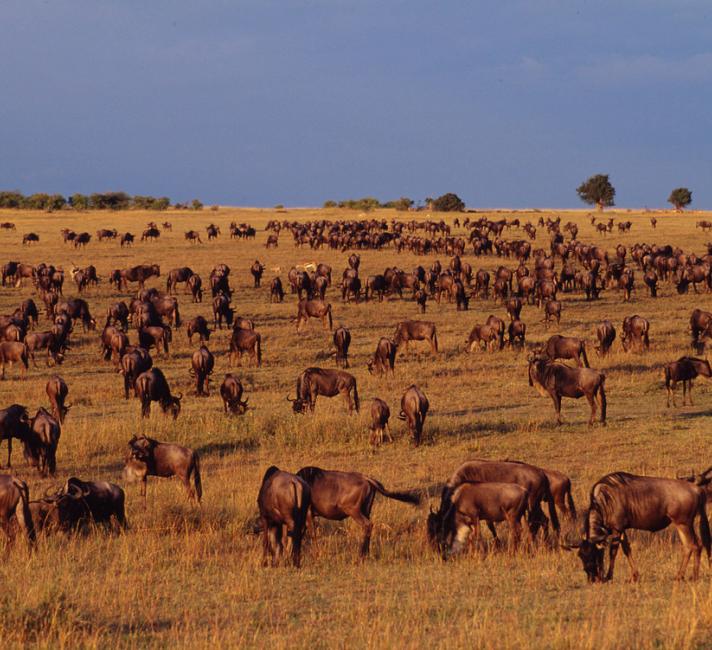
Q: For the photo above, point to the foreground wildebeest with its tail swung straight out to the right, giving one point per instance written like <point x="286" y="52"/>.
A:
<point x="337" y="495"/>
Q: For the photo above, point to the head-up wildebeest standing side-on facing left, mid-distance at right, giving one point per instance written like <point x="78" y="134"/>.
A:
<point x="557" y="380"/>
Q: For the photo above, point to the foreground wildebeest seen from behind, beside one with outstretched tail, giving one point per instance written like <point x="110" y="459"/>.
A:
<point x="283" y="501"/>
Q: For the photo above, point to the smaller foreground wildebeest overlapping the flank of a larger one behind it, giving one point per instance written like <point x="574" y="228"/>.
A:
<point x="471" y="503"/>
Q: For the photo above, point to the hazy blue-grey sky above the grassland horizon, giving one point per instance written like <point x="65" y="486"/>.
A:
<point x="259" y="102"/>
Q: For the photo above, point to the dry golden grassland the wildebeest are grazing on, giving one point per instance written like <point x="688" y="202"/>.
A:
<point x="188" y="576"/>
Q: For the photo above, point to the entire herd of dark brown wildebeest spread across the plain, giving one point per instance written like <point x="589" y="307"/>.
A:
<point x="492" y="491"/>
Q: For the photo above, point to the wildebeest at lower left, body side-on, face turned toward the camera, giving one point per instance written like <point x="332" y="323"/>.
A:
<point x="148" y="457"/>
